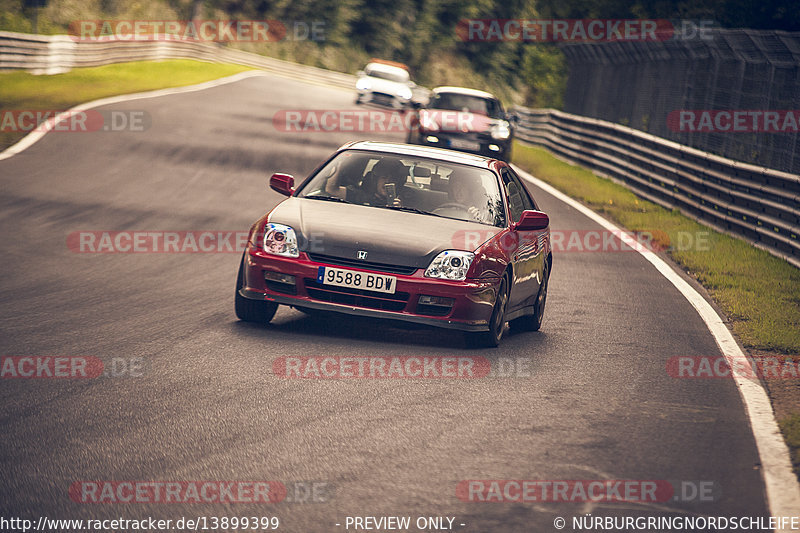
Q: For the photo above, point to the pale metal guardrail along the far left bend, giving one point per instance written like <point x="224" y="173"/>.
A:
<point x="52" y="54"/>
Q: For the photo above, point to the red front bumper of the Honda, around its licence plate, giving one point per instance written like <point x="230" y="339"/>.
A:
<point x="472" y="301"/>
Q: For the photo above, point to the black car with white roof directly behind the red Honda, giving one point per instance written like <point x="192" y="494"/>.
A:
<point x="464" y="119"/>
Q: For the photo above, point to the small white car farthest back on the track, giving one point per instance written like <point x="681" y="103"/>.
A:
<point x="385" y="83"/>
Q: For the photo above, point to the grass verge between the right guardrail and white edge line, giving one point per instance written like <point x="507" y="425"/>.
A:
<point x="758" y="292"/>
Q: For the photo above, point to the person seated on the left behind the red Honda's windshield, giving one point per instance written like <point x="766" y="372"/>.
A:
<point x="374" y="190"/>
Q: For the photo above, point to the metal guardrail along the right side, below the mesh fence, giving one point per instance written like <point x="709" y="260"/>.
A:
<point x="759" y="204"/>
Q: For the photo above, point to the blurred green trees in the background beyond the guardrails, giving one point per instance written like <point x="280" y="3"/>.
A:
<point x="420" y="33"/>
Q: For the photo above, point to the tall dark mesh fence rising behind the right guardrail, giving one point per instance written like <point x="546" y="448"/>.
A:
<point x="639" y="83"/>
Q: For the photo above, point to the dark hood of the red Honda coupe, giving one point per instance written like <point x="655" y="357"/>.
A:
<point x="389" y="237"/>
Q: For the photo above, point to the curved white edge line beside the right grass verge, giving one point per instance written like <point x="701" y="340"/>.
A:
<point x="783" y="491"/>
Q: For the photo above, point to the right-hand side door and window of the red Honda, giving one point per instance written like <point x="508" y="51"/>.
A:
<point x="526" y="257"/>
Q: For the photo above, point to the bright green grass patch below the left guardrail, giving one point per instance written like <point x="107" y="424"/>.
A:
<point x="24" y="91"/>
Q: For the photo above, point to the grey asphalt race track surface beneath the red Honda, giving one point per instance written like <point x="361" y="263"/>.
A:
<point x="596" y="402"/>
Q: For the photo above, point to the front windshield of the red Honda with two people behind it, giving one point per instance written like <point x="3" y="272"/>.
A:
<point x="416" y="184"/>
